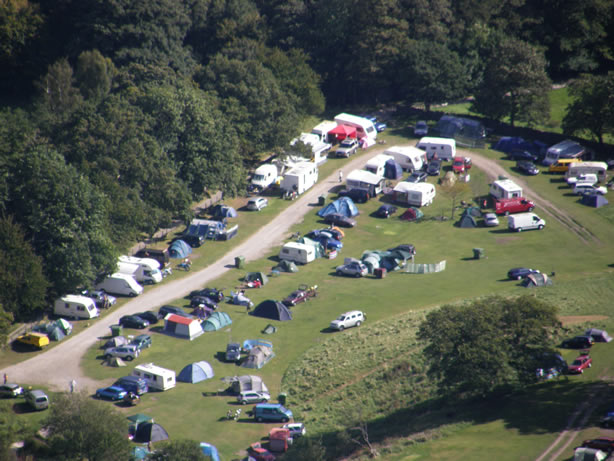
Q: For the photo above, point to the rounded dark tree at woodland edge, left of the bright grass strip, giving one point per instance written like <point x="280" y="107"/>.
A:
<point x="514" y="83"/>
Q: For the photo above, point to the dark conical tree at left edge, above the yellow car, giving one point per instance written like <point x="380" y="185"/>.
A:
<point x="21" y="276"/>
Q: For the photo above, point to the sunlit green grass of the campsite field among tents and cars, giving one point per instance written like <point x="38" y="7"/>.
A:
<point x="324" y="381"/>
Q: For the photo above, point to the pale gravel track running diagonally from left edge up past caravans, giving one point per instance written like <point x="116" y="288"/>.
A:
<point x="57" y="367"/>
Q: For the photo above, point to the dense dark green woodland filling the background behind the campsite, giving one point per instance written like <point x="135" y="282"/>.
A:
<point x="118" y="114"/>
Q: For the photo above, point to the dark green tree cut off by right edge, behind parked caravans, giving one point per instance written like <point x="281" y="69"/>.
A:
<point x="591" y="111"/>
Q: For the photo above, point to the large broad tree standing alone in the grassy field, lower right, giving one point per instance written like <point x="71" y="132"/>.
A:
<point x="488" y="344"/>
